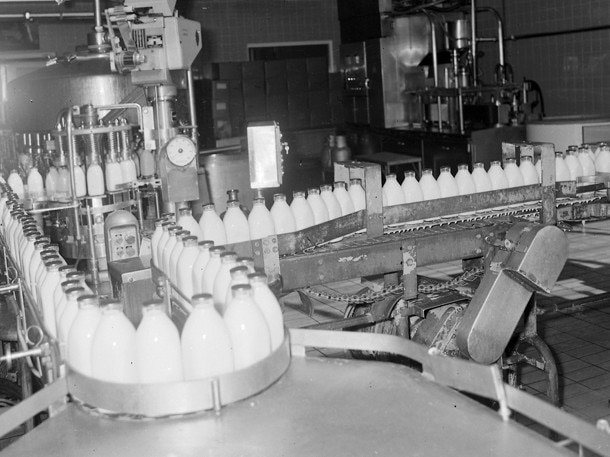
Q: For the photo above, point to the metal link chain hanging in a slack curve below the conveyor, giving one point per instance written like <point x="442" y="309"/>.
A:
<point x="373" y="296"/>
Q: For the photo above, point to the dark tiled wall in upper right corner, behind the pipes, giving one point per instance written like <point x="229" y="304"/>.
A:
<point x="574" y="69"/>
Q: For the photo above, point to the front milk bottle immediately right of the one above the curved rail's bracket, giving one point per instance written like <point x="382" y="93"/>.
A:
<point x="247" y="328"/>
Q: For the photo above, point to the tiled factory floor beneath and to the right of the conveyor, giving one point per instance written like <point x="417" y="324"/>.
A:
<point x="574" y="323"/>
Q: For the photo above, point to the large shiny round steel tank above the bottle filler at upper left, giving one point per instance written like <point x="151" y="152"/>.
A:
<point x="35" y="99"/>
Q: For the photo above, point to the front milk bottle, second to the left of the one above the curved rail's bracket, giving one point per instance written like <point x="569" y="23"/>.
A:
<point x="113" y="350"/>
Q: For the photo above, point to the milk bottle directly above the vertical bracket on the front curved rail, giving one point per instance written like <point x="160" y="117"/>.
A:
<point x="206" y="344"/>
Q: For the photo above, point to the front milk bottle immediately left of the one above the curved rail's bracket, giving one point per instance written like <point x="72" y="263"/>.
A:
<point x="158" y="352"/>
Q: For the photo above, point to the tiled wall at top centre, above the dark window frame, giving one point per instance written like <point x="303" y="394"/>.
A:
<point x="229" y="25"/>
